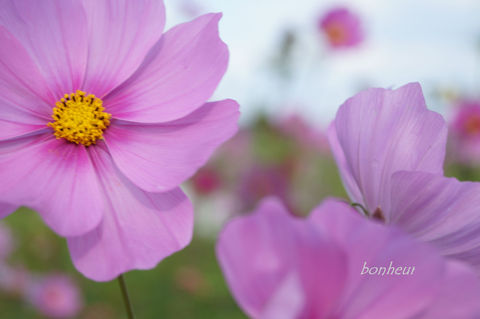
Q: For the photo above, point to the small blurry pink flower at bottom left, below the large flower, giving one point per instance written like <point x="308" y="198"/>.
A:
<point x="56" y="296"/>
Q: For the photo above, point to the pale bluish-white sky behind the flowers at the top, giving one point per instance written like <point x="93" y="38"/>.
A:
<point x="434" y="42"/>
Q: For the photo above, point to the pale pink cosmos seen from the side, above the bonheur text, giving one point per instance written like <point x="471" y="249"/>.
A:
<point x="390" y="149"/>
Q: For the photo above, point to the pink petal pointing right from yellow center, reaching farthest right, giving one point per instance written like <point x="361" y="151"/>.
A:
<point x="159" y="157"/>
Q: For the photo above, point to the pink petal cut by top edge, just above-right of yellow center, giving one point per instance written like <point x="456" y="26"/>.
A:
<point x="121" y="33"/>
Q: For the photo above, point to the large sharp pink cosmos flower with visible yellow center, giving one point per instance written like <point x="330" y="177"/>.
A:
<point x="102" y="117"/>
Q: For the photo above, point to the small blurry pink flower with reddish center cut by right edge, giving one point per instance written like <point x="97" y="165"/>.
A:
<point x="465" y="133"/>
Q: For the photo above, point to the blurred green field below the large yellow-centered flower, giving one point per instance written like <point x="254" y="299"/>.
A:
<point x="188" y="284"/>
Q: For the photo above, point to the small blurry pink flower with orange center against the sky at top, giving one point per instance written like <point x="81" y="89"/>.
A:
<point x="342" y="28"/>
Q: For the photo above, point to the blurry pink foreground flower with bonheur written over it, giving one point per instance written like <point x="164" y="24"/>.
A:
<point x="281" y="267"/>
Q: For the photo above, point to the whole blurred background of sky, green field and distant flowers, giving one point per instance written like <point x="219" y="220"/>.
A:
<point x="289" y="75"/>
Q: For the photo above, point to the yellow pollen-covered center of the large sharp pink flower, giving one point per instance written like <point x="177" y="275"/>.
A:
<point x="80" y="118"/>
